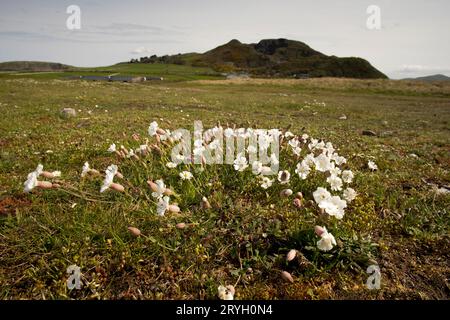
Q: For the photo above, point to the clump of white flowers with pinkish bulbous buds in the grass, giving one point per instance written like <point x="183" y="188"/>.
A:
<point x="311" y="161"/>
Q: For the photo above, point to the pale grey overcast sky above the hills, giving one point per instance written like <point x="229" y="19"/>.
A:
<point x="413" y="39"/>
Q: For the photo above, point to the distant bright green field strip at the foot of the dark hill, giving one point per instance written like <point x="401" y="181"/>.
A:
<point x="171" y="72"/>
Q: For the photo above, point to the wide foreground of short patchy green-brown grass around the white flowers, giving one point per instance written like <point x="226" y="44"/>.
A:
<point x="399" y="220"/>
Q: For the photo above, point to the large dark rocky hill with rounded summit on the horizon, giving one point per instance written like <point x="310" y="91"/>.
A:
<point x="275" y="58"/>
